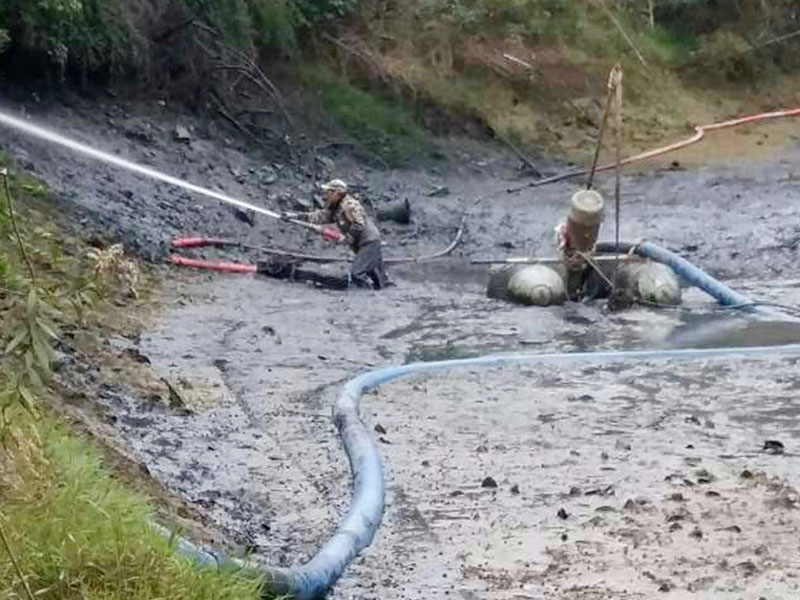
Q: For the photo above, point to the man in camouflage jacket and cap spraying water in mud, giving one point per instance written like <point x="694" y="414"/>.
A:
<point x="357" y="230"/>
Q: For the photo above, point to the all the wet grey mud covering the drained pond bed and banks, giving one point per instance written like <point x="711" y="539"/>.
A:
<point x="633" y="481"/>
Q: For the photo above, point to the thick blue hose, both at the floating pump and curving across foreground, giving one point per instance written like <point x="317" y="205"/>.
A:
<point x="312" y="580"/>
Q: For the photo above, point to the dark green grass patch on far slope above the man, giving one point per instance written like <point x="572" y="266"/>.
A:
<point x="380" y="122"/>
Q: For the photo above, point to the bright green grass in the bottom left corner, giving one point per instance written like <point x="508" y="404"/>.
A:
<point x="77" y="534"/>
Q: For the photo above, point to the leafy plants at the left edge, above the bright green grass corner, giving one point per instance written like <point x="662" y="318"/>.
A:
<point x="39" y="285"/>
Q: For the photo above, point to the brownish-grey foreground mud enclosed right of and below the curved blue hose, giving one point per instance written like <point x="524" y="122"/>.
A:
<point x="637" y="481"/>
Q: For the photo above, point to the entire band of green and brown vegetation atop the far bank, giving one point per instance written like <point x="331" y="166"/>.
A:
<point x="529" y="70"/>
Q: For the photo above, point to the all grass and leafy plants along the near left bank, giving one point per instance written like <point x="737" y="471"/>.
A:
<point x="69" y="530"/>
